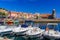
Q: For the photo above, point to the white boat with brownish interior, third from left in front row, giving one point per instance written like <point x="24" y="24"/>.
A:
<point x="34" y="32"/>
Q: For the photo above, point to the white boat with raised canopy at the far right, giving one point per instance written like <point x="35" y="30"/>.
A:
<point x="51" y="33"/>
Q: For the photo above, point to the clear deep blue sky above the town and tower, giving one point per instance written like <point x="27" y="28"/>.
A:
<point x="32" y="6"/>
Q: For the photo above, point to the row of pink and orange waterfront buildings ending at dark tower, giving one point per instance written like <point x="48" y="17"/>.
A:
<point x="23" y="15"/>
